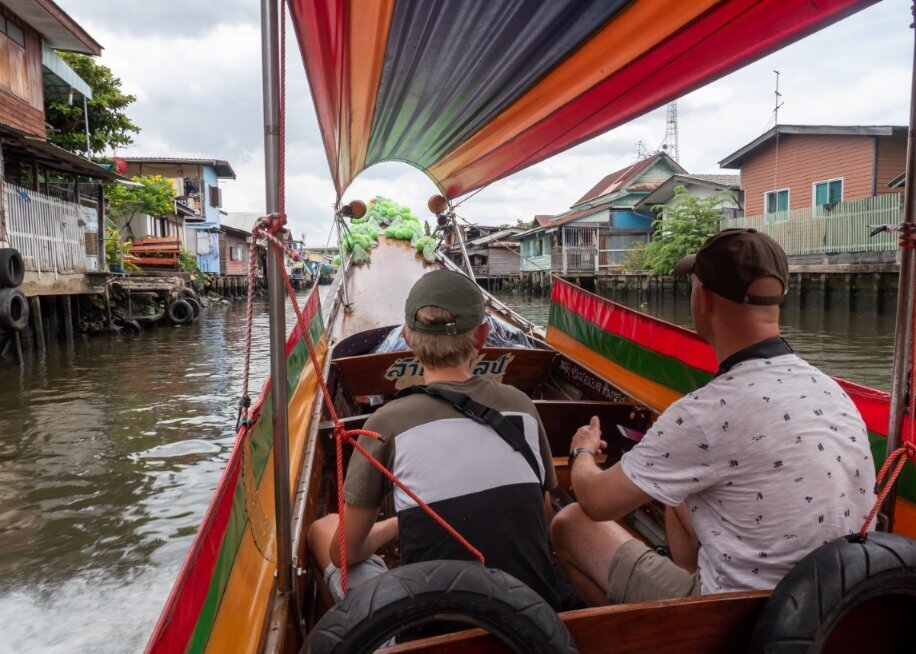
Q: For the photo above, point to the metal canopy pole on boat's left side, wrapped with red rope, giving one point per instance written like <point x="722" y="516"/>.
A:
<point x="275" y="293"/>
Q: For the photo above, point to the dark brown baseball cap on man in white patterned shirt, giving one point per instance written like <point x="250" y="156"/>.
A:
<point x="733" y="259"/>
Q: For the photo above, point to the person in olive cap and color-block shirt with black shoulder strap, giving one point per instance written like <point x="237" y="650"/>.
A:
<point x="485" y="477"/>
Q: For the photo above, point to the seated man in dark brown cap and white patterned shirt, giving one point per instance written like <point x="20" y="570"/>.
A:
<point x="763" y="464"/>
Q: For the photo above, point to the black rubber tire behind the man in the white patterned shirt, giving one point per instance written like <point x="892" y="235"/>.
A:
<point x="827" y="584"/>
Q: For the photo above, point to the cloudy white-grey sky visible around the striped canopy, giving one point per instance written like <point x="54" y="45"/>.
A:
<point x="196" y="71"/>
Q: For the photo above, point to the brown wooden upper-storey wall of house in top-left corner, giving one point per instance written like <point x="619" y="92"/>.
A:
<point x="23" y="109"/>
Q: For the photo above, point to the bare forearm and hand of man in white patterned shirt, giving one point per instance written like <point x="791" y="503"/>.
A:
<point x="601" y="494"/>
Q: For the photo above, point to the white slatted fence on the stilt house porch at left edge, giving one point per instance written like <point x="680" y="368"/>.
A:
<point x="45" y="230"/>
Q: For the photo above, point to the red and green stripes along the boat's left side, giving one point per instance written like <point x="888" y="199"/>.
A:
<point x="192" y="607"/>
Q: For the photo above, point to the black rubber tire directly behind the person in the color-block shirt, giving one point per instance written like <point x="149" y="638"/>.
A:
<point x="434" y="591"/>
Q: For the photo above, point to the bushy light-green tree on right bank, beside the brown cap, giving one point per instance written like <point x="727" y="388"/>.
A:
<point x="680" y="229"/>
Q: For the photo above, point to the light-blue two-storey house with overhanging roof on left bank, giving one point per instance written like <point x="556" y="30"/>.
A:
<point x="197" y="195"/>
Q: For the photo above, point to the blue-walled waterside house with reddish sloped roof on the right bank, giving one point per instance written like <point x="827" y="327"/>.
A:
<point x="592" y="238"/>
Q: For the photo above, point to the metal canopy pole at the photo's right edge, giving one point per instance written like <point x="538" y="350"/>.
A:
<point x="903" y="342"/>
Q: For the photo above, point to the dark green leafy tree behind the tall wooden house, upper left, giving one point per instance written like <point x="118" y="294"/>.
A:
<point x="109" y="126"/>
